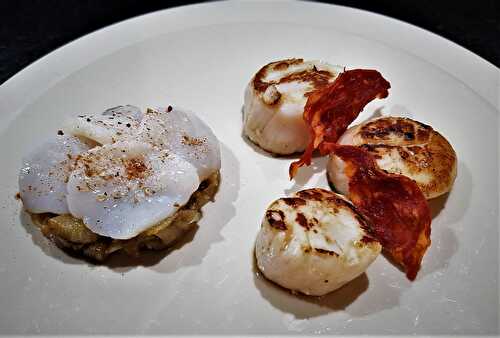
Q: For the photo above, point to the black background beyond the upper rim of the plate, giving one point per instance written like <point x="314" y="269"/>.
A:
<point x="31" y="29"/>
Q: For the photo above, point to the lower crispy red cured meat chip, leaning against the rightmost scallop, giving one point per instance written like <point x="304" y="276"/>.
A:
<point x="396" y="207"/>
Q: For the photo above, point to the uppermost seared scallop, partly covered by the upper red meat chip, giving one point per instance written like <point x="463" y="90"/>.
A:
<point x="275" y="100"/>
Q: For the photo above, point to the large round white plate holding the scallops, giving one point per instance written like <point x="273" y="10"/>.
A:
<point x="201" y="57"/>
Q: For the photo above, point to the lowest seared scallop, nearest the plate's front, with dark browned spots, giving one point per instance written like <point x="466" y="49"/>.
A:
<point x="314" y="242"/>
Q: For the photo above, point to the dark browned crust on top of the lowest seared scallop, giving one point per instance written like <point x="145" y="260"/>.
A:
<point x="304" y="209"/>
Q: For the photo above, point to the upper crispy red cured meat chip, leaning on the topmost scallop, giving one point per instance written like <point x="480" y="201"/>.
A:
<point x="330" y="110"/>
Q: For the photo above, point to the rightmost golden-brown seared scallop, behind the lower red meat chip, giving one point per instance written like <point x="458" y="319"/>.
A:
<point x="407" y="147"/>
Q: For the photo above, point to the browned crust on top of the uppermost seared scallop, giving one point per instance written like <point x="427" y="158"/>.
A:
<point x="317" y="78"/>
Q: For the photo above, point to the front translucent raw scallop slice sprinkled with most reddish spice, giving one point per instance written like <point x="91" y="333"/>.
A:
<point x="122" y="189"/>
